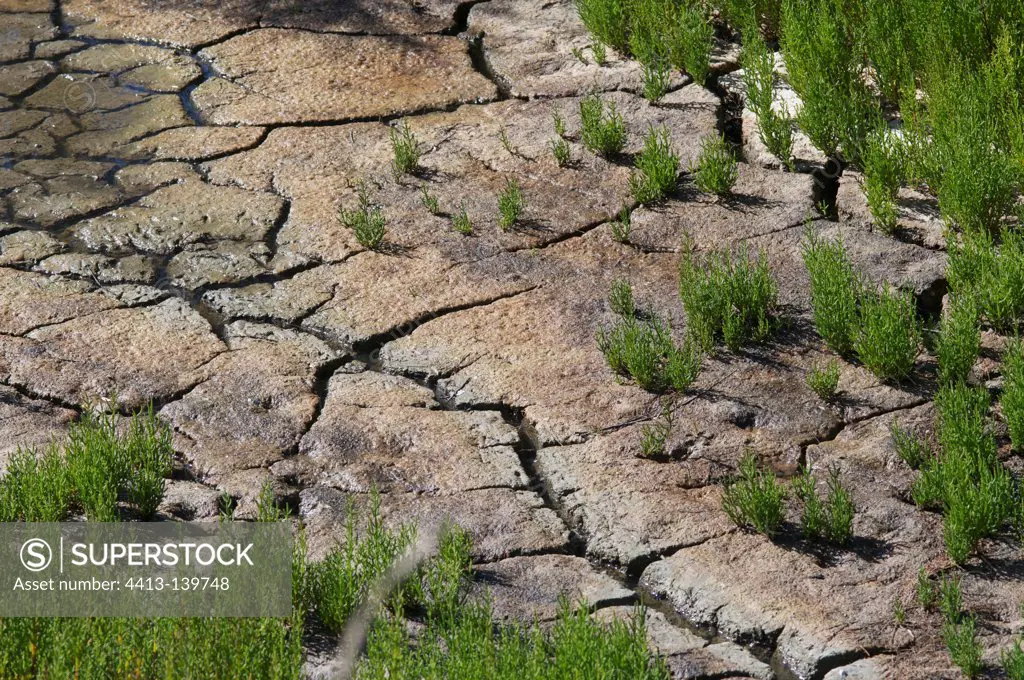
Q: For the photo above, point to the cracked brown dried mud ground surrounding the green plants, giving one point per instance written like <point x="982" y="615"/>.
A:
<point x="169" y="190"/>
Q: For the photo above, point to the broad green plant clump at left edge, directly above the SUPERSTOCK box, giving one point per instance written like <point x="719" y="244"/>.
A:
<point x="98" y="466"/>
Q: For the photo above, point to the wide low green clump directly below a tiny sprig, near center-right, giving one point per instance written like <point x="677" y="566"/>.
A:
<point x="644" y="351"/>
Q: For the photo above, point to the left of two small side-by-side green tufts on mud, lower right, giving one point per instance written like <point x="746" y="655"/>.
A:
<point x="755" y="498"/>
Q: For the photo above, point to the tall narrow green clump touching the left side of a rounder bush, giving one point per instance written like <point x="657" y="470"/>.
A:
<point x="835" y="289"/>
